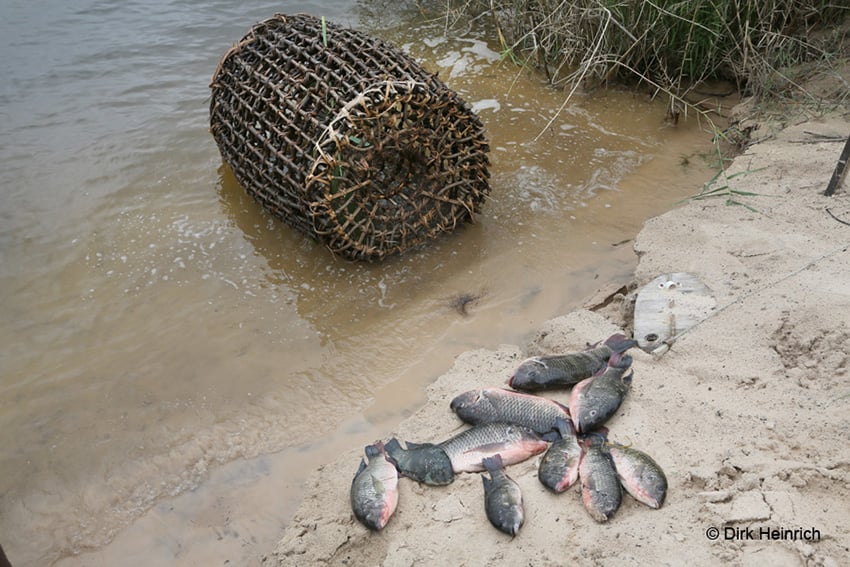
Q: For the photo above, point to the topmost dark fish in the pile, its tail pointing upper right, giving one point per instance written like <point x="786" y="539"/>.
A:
<point x="565" y="370"/>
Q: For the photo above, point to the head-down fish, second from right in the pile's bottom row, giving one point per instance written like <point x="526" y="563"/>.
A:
<point x="600" y="486"/>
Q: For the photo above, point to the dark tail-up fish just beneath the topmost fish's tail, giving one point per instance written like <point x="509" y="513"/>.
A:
<point x="594" y="400"/>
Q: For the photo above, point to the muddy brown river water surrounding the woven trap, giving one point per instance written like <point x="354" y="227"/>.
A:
<point x="175" y="361"/>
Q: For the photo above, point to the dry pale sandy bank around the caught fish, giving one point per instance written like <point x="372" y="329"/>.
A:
<point x="747" y="413"/>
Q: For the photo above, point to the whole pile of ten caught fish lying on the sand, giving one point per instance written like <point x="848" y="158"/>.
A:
<point x="509" y="427"/>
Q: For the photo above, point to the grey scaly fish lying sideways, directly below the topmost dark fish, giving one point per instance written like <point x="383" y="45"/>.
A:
<point x="491" y="405"/>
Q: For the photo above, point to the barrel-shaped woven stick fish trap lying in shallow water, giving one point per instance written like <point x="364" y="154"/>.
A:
<point x="346" y="138"/>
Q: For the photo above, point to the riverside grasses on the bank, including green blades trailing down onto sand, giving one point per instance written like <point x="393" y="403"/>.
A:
<point x="771" y="51"/>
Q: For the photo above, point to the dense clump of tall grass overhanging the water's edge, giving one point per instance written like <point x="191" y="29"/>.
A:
<point x="669" y="44"/>
